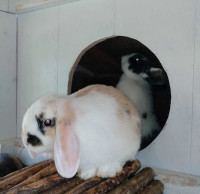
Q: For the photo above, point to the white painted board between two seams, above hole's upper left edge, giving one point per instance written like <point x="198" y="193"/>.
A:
<point x="80" y="24"/>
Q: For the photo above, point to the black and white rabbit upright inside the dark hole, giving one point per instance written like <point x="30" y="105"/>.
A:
<point x="136" y="81"/>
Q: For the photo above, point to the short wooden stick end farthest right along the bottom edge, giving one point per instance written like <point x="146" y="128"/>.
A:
<point x="154" y="187"/>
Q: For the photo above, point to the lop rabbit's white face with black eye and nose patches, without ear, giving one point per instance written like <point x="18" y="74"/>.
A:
<point x="38" y="126"/>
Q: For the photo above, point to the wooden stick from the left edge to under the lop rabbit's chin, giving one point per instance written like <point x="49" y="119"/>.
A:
<point x="22" y="175"/>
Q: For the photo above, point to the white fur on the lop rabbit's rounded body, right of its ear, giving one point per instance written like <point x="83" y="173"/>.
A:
<point x="114" y="140"/>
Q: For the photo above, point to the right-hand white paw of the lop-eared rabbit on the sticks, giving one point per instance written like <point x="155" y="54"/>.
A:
<point x="109" y="170"/>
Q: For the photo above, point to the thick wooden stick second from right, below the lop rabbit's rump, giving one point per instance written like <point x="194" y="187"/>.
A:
<point x="140" y="180"/>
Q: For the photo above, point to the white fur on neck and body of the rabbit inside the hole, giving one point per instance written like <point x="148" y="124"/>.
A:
<point x="139" y="92"/>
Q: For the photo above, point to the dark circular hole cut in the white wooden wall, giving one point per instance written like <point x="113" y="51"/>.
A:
<point x="101" y="64"/>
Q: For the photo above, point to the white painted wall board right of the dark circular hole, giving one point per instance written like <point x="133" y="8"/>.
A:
<point x="167" y="29"/>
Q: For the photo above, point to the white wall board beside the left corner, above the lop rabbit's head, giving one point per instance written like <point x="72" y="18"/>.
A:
<point x="37" y="57"/>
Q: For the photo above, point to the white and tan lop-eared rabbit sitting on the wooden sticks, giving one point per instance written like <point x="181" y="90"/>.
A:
<point x="93" y="131"/>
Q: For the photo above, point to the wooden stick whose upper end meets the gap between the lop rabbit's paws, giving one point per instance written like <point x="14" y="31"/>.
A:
<point x="86" y="185"/>
